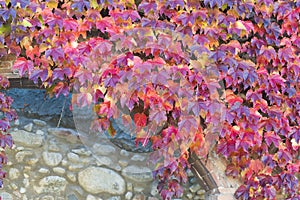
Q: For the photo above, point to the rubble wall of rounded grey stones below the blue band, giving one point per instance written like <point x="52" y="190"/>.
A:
<point x="49" y="163"/>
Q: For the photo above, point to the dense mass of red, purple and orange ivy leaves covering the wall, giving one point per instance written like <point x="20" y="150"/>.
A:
<point x="252" y="46"/>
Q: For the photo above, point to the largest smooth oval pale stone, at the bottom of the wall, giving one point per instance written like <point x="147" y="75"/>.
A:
<point x="97" y="179"/>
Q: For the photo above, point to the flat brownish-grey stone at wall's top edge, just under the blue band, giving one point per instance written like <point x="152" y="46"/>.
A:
<point x="68" y="134"/>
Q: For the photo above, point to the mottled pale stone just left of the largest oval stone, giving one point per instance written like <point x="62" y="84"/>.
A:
<point x="51" y="184"/>
